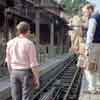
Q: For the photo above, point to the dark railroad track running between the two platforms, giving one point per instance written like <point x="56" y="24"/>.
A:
<point x="61" y="83"/>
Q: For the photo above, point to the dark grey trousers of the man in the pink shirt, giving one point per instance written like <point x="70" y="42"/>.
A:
<point x="21" y="84"/>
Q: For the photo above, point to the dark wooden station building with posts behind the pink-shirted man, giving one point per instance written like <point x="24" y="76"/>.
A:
<point x="45" y="18"/>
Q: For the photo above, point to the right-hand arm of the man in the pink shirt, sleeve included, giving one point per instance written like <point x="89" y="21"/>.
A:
<point x="34" y="64"/>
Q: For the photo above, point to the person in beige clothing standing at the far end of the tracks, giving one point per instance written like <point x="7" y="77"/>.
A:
<point x="77" y="40"/>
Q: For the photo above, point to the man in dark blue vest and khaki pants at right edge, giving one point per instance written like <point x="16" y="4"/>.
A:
<point x="93" y="47"/>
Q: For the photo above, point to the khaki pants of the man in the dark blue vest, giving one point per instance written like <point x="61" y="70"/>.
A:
<point x="93" y="78"/>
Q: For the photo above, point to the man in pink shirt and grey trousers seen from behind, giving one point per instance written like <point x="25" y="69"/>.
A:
<point x="22" y="64"/>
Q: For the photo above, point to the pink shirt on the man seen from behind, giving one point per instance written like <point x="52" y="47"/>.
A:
<point x="21" y="54"/>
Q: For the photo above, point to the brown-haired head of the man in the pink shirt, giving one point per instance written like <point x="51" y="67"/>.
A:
<point x="23" y="27"/>
